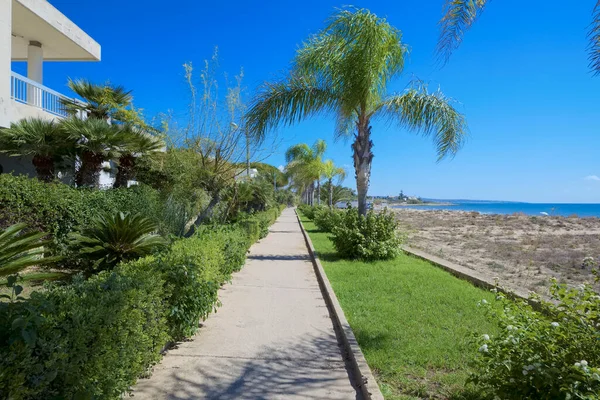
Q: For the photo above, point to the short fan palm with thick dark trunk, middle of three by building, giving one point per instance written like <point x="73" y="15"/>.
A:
<point x="96" y="142"/>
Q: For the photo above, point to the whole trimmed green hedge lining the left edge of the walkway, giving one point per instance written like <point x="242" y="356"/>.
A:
<point x="93" y="338"/>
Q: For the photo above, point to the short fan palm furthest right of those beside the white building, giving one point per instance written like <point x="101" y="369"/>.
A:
<point x="135" y="143"/>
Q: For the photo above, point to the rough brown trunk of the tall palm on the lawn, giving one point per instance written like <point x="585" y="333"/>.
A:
<point x="363" y="158"/>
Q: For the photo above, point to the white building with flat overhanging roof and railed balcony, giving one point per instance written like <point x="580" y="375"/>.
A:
<point x="36" y="32"/>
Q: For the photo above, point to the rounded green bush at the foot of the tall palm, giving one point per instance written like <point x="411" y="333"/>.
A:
<point x="374" y="237"/>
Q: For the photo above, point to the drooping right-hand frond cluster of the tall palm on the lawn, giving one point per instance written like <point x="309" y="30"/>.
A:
<point x="431" y="114"/>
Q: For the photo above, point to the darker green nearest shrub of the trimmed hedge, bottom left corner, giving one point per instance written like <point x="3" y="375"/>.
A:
<point x="91" y="339"/>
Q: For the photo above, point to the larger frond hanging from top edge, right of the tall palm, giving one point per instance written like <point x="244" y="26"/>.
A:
<point x="459" y="16"/>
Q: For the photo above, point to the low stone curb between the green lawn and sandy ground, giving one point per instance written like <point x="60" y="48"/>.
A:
<point x="469" y="275"/>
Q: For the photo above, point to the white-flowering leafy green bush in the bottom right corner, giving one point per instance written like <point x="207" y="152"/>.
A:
<point x="549" y="354"/>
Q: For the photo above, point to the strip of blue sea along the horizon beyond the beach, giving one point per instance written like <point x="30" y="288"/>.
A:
<point x="502" y="207"/>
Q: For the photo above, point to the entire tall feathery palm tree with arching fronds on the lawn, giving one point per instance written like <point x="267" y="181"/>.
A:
<point x="344" y="70"/>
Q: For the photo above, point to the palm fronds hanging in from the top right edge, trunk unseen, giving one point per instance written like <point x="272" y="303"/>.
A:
<point x="460" y="15"/>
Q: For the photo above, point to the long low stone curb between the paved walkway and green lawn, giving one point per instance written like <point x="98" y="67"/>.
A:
<point x="360" y="369"/>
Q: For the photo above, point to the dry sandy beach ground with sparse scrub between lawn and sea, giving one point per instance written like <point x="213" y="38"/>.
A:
<point x="524" y="252"/>
